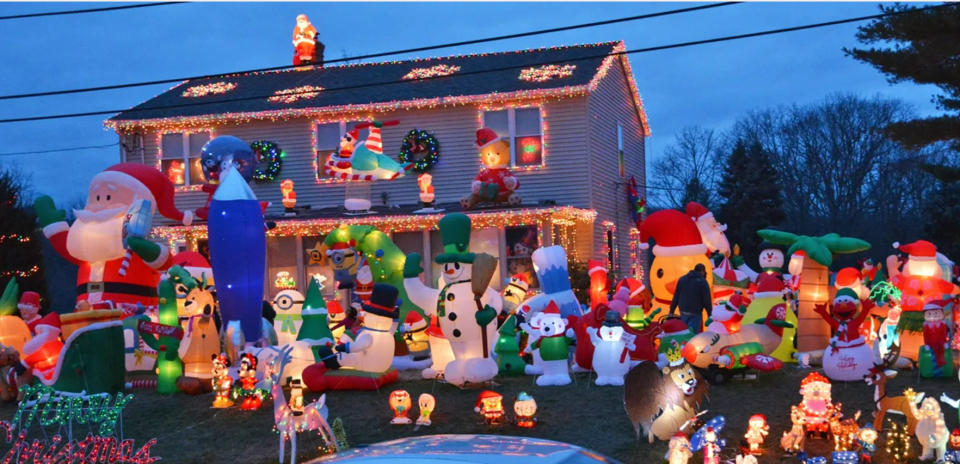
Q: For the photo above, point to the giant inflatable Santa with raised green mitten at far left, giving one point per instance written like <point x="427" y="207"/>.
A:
<point x="115" y="267"/>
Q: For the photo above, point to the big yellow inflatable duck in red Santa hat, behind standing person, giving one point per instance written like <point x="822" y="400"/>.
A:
<point x="679" y="248"/>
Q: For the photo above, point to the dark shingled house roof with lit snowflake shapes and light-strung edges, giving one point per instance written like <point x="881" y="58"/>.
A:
<point x="376" y="87"/>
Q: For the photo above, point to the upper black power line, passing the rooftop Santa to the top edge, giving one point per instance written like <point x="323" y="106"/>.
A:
<point x="376" y="55"/>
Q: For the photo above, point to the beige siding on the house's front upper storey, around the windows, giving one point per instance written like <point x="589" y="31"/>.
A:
<point x="563" y="179"/>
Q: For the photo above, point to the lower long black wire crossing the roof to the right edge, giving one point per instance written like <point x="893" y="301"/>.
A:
<point x="506" y="68"/>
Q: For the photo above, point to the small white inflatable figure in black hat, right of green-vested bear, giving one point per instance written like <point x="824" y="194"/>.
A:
<point x="611" y="354"/>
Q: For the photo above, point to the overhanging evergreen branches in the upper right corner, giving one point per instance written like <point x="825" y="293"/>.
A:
<point x="920" y="47"/>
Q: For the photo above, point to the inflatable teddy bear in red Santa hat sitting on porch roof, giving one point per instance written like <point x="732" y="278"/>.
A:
<point x="495" y="183"/>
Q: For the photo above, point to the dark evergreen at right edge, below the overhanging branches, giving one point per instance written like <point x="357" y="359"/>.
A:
<point x="941" y="218"/>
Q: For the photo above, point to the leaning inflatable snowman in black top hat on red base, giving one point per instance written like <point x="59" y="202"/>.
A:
<point x="371" y="348"/>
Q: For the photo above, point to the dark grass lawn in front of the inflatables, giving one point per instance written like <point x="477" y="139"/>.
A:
<point x="189" y="431"/>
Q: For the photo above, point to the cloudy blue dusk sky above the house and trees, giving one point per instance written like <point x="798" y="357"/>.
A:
<point x="709" y="85"/>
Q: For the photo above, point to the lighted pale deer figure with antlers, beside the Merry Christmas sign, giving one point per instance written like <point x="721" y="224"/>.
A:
<point x="295" y="417"/>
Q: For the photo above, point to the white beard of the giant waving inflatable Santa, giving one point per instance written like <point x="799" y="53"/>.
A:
<point x="97" y="236"/>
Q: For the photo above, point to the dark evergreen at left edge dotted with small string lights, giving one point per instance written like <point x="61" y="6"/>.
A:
<point x="20" y="239"/>
